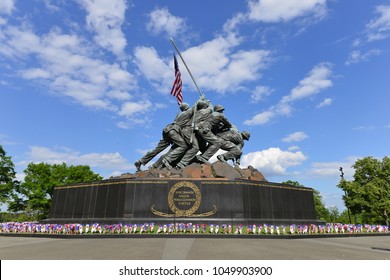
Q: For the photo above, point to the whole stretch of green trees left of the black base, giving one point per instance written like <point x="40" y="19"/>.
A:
<point x="31" y="199"/>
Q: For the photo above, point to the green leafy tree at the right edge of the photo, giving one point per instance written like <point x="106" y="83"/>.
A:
<point x="368" y="194"/>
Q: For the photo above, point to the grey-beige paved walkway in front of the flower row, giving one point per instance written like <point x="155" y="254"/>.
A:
<point x="348" y="248"/>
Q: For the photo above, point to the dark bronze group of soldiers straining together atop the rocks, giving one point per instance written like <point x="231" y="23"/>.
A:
<point x="201" y="128"/>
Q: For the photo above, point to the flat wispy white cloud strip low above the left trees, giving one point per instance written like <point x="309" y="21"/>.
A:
<point x="106" y="161"/>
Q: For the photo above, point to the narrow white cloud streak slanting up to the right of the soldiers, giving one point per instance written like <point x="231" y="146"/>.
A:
<point x="317" y="80"/>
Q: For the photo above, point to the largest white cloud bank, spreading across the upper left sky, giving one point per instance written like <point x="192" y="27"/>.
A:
<point x="66" y="66"/>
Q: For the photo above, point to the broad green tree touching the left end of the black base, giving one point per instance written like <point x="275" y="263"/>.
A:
<point x="40" y="180"/>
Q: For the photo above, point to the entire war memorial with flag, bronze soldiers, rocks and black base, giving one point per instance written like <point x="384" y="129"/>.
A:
<point x="182" y="186"/>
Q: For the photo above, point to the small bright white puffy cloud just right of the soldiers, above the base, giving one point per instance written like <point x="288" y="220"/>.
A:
<point x="273" y="161"/>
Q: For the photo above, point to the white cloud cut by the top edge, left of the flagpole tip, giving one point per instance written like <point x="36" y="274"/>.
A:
<point x="106" y="18"/>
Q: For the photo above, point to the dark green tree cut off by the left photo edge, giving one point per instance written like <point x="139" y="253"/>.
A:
<point x="7" y="176"/>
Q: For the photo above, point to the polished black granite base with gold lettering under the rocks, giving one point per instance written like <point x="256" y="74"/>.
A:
<point x="182" y="200"/>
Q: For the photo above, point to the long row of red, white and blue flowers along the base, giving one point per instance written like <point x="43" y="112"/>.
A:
<point x="182" y="228"/>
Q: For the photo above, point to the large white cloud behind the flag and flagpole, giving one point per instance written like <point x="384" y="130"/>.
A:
<point x="225" y="71"/>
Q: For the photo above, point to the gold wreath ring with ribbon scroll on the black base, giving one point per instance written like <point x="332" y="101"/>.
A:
<point x="180" y="212"/>
